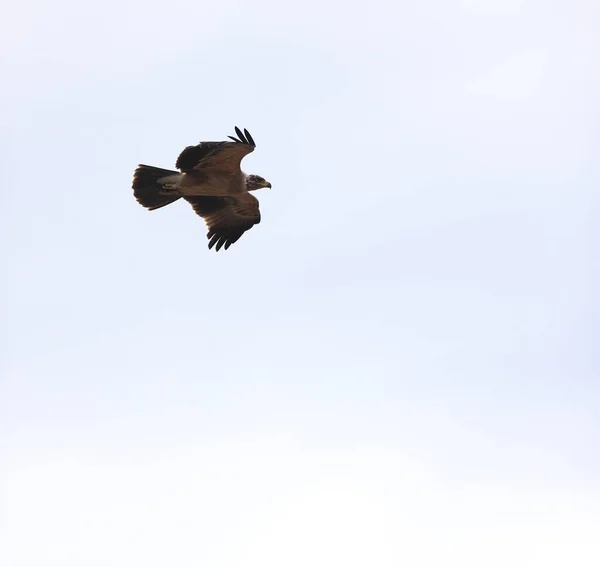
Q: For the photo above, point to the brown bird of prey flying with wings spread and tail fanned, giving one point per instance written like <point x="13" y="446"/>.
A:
<point x="211" y="180"/>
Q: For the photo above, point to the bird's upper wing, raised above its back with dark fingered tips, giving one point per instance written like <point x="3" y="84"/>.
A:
<point x="223" y="156"/>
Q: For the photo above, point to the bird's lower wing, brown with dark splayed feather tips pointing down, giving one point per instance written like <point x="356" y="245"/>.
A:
<point x="227" y="218"/>
